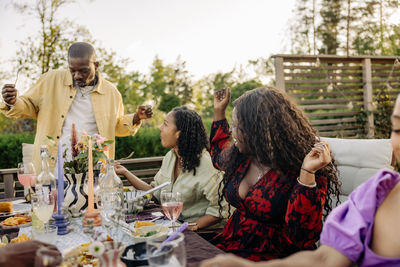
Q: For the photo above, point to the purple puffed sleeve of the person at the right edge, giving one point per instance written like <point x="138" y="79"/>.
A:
<point x="347" y="225"/>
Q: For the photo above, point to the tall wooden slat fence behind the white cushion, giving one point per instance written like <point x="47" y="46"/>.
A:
<point x="337" y="93"/>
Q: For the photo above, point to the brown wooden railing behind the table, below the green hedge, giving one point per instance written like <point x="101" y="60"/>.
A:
<point x="144" y="168"/>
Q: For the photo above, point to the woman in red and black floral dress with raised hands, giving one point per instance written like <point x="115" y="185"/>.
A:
<point x="278" y="212"/>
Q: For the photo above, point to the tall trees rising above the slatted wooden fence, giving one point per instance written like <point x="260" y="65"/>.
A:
<point x="351" y="27"/>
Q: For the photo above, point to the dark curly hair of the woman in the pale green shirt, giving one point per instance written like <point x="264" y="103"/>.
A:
<point x="192" y="139"/>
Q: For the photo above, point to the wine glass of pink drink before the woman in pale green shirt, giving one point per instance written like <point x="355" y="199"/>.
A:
<point x="171" y="203"/>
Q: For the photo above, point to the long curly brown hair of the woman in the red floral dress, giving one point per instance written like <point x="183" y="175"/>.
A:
<point x="277" y="134"/>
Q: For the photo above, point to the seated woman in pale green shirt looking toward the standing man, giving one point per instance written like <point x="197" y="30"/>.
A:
<point x="189" y="168"/>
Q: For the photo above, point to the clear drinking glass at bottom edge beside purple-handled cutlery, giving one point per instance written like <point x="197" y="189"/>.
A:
<point x="171" y="254"/>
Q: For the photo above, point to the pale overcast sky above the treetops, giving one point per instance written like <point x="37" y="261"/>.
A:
<point x="211" y="35"/>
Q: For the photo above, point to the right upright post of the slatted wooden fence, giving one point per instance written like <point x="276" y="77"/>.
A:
<point x="368" y="104"/>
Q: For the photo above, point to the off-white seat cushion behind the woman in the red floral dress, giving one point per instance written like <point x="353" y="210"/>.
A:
<point x="359" y="159"/>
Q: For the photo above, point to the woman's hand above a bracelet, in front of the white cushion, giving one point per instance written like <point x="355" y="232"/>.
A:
<point x="318" y="157"/>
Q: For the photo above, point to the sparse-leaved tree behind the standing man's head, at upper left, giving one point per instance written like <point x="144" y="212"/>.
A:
<point x="46" y="49"/>
